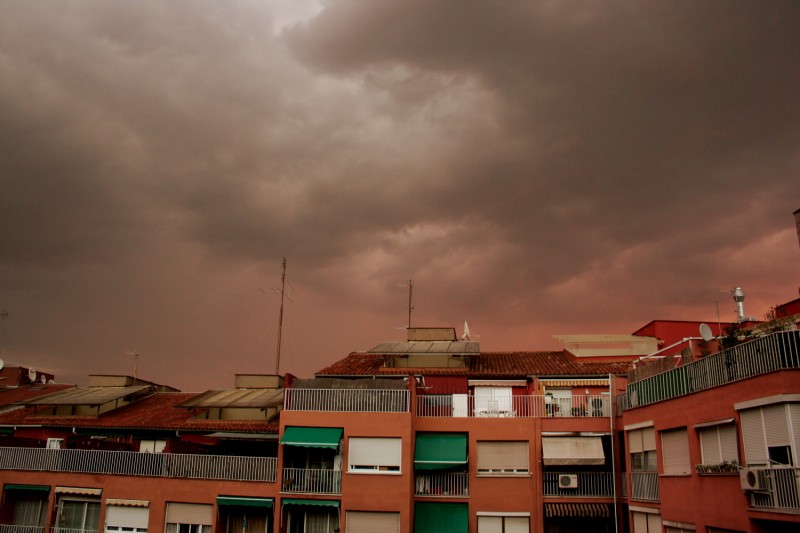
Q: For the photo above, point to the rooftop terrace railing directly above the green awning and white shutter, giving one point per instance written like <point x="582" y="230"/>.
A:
<point x="347" y="400"/>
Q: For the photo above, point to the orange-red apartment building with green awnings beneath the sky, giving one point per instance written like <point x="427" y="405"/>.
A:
<point x="658" y="431"/>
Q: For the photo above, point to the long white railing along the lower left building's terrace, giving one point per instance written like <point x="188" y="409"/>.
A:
<point x="235" y="468"/>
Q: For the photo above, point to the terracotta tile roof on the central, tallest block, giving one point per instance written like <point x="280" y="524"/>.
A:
<point x="487" y="364"/>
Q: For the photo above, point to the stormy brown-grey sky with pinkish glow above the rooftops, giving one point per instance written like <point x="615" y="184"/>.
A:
<point x="536" y="168"/>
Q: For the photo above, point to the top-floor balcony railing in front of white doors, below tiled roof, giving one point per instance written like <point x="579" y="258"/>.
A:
<point x="534" y="406"/>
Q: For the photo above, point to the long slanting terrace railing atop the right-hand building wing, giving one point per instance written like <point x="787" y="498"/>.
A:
<point x="760" y="356"/>
